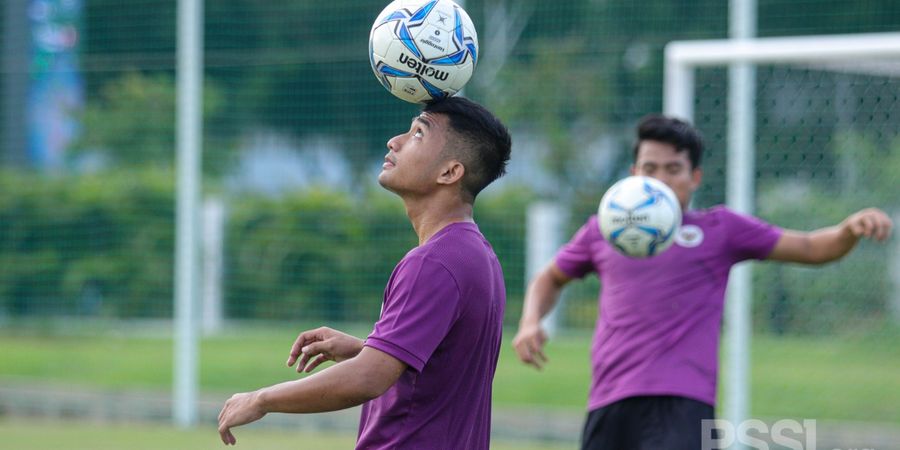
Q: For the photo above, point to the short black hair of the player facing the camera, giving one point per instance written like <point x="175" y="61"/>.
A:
<point x="670" y="130"/>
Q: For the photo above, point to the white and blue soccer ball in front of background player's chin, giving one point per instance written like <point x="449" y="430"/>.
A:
<point x="639" y="216"/>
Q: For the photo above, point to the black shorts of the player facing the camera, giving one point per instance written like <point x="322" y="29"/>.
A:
<point x="646" y="423"/>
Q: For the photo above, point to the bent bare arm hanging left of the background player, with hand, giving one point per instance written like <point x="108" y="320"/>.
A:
<point x="540" y="298"/>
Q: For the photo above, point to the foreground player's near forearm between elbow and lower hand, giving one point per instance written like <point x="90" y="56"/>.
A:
<point x="338" y="387"/>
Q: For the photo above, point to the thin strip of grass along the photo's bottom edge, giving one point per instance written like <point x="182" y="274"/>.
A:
<point x="52" y="435"/>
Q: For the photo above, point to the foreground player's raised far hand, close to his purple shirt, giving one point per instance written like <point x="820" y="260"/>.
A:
<point x="314" y="347"/>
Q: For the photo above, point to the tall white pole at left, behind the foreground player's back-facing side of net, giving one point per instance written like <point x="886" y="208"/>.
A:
<point x="189" y="92"/>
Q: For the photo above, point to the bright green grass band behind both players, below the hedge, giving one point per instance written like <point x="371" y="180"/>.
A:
<point x="852" y="378"/>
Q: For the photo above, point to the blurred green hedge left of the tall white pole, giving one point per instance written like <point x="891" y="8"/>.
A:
<point x="99" y="244"/>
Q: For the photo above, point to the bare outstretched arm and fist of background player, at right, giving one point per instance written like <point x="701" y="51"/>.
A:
<point x="832" y="243"/>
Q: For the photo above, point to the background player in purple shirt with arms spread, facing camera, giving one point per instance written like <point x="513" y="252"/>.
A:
<point x="655" y="347"/>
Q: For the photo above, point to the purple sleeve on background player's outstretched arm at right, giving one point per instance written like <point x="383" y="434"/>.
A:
<point x="750" y="237"/>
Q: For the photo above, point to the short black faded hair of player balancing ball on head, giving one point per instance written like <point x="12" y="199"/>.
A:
<point x="484" y="143"/>
